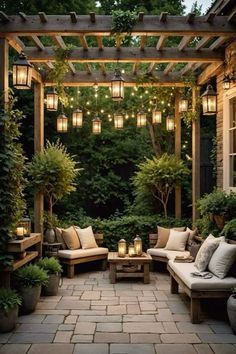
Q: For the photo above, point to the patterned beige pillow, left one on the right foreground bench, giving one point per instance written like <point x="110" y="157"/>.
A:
<point x="206" y="251"/>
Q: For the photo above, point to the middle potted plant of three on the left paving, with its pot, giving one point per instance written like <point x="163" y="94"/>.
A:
<point x="30" y="279"/>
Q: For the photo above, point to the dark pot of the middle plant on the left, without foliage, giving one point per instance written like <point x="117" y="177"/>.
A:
<point x="30" y="298"/>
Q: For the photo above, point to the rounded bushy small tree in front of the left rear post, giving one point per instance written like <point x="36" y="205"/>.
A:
<point x="53" y="172"/>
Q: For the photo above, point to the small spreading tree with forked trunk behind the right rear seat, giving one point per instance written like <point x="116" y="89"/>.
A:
<point x="159" y="176"/>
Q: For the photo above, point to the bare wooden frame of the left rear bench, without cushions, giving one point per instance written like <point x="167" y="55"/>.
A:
<point x="70" y="263"/>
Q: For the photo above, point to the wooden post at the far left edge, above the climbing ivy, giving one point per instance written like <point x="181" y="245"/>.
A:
<point x="4" y="68"/>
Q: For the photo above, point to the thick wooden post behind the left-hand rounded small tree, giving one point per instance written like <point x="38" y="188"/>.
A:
<point x="38" y="146"/>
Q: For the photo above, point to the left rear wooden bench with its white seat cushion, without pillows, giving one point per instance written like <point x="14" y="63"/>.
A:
<point x="71" y="262"/>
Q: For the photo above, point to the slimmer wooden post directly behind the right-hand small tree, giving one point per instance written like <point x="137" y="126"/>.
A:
<point x="177" y="154"/>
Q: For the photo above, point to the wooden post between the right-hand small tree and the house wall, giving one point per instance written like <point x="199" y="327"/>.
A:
<point x="195" y="157"/>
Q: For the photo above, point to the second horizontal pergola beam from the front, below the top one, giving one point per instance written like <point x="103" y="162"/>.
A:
<point x="129" y="55"/>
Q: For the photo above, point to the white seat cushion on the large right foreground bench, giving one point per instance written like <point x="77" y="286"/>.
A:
<point x="183" y="271"/>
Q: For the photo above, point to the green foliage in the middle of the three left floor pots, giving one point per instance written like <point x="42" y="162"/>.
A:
<point x="31" y="276"/>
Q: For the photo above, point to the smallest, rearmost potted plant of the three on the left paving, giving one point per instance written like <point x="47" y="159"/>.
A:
<point x="53" y="269"/>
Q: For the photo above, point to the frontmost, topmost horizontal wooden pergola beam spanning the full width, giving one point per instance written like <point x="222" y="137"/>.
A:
<point x="43" y="24"/>
